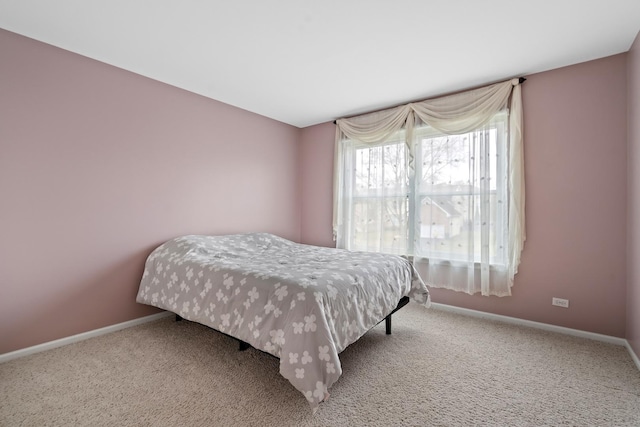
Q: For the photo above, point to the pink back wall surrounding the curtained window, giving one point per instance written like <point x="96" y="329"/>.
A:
<point x="575" y="160"/>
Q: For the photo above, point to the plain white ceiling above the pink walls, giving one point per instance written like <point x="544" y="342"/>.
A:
<point x="305" y="62"/>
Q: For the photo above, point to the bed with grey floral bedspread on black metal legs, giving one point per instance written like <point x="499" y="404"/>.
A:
<point x="303" y="304"/>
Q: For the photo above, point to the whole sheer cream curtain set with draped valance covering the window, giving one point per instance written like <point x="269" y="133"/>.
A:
<point x="441" y="180"/>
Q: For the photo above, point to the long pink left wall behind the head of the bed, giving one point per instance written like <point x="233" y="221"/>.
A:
<point x="98" y="166"/>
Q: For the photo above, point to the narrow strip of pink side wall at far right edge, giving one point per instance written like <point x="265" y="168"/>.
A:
<point x="633" y="191"/>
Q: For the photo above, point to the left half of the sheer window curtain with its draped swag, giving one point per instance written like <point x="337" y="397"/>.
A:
<point x="373" y="182"/>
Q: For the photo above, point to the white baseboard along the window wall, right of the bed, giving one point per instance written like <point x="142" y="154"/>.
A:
<point x="545" y="326"/>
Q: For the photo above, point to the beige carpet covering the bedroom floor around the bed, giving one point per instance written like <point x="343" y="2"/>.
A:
<point x="437" y="368"/>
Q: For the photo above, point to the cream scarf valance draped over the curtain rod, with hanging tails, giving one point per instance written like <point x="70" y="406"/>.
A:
<point x="454" y="114"/>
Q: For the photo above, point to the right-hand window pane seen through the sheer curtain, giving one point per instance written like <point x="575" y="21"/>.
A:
<point x="461" y="188"/>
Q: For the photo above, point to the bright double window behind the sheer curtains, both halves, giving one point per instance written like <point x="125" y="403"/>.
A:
<point x="451" y="204"/>
